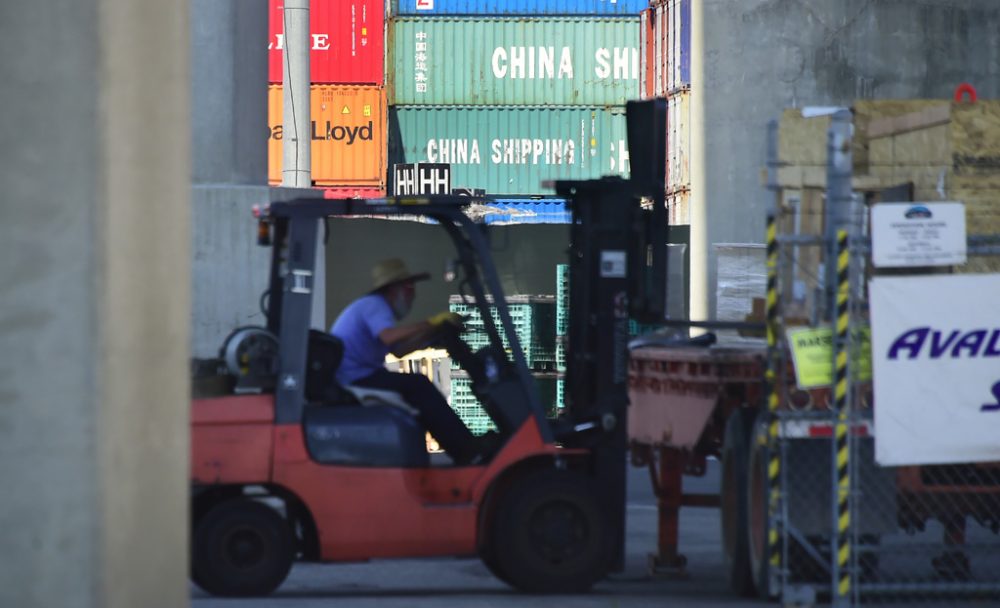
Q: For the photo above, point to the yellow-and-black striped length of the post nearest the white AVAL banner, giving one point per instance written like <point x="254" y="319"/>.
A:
<point x="841" y="426"/>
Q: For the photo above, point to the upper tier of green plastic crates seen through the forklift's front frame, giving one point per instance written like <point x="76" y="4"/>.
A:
<point x="532" y="317"/>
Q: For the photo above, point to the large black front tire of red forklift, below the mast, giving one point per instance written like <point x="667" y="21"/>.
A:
<point x="550" y="535"/>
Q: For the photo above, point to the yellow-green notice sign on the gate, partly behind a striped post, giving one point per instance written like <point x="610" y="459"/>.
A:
<point x="812" y="356"/>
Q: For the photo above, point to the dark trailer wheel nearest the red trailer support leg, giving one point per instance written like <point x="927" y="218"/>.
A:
<point x="735" y="521"/>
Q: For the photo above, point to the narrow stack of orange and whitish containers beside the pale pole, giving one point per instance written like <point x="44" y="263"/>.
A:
<point x="666" y="72"/>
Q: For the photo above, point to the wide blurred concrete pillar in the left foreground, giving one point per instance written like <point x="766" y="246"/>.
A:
<point x="94" y="307"/>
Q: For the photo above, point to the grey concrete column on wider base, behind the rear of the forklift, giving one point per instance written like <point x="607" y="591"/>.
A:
<point x="229" y="150"/>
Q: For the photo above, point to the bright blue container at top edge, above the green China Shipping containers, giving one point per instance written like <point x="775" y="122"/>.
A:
<point x="518" y="7"/>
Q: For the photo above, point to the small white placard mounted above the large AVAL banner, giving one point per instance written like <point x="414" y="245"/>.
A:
<point x="918" y="234"/>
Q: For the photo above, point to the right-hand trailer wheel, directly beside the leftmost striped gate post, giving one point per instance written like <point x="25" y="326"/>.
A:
<point x="757" y="511"/>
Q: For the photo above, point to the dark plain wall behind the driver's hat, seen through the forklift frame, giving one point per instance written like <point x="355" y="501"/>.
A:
<point x="525" y="256"/>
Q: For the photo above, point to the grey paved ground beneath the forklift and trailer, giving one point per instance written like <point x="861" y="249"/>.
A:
<point x="465" y="583"/>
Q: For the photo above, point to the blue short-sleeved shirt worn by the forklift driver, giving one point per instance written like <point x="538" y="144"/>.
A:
<point x="358" y="326"/>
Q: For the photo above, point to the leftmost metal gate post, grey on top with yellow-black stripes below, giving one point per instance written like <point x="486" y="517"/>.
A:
<point x="774" y="546"/>
